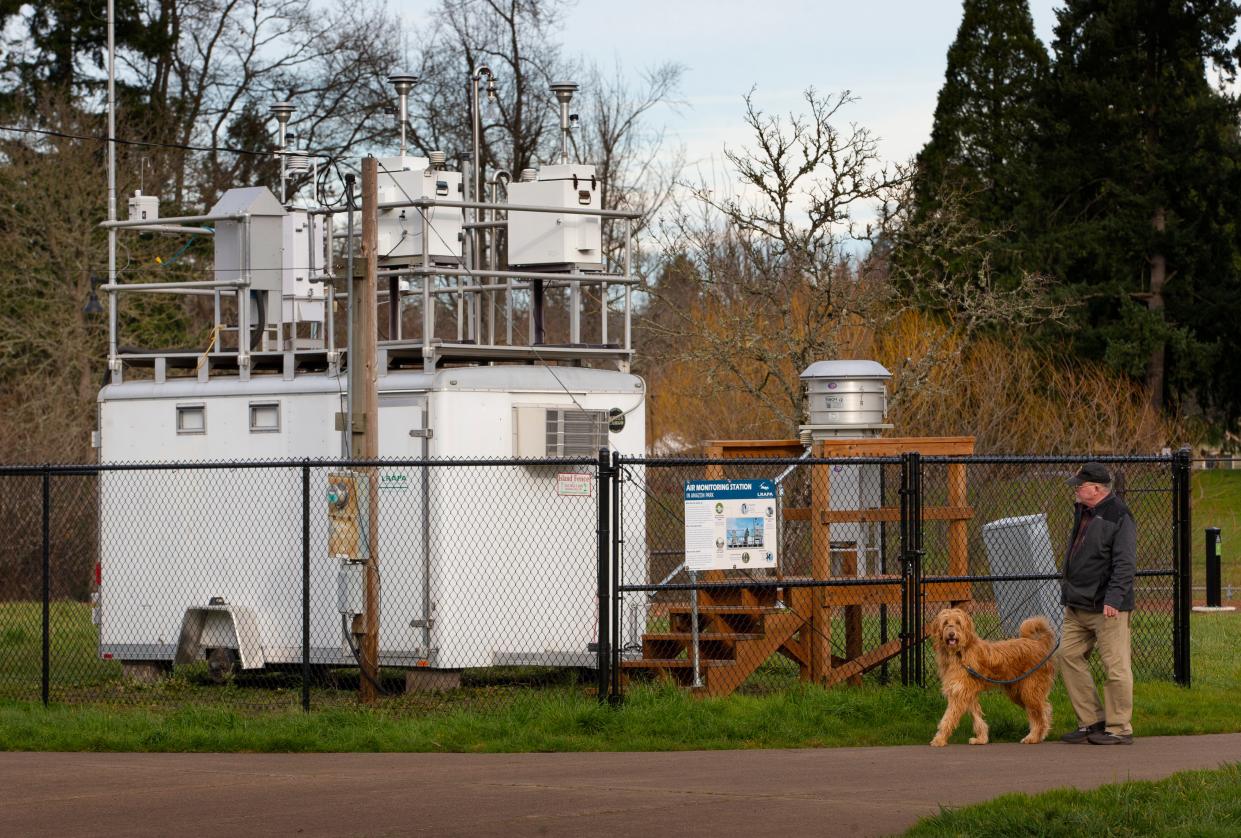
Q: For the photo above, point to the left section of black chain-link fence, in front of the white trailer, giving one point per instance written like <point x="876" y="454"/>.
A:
<point x="239" y="583"/>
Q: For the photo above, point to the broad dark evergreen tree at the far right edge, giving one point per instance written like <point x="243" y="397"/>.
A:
<point x="1140" y="178"/>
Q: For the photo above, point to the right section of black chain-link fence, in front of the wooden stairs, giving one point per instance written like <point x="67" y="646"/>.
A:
<point x="869" y="552"/>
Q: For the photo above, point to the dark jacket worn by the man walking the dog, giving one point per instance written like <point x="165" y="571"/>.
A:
<point x="1100" y="572"/>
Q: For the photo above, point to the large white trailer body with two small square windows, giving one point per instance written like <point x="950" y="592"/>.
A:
<point x="198" y="561"/>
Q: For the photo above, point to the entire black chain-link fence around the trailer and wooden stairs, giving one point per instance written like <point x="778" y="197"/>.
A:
<point x="245" y="584"/>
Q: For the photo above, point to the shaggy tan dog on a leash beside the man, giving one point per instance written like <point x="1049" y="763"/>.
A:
<point x="957" y="646"/>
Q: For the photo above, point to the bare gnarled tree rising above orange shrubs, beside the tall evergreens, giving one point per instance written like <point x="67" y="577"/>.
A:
<point x="781" y="280"/>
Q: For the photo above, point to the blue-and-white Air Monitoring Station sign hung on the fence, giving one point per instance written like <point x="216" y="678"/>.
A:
<point x="730" y="525"/>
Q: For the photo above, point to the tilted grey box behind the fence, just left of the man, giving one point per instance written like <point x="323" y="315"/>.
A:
<point x="1022" y="547"/>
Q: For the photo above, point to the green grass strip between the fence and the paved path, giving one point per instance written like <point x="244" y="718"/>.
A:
<point x="568" y="718"/>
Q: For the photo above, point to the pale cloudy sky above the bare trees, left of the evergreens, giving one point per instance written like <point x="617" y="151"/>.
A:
<point x="890" y="54"/>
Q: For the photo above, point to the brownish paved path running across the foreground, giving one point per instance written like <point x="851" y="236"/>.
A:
<point x="830" y="791"/>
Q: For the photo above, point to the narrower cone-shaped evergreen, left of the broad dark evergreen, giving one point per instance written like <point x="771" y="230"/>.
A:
<point x="987" y="116"/>
